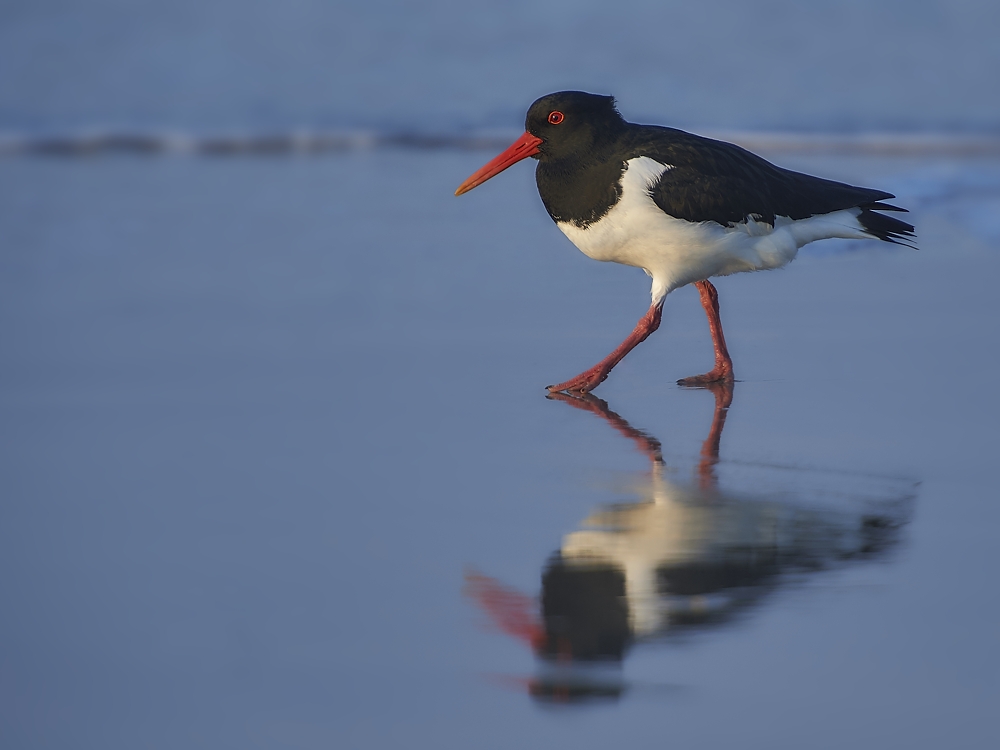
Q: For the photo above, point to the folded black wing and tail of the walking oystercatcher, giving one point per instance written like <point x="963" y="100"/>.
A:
<point x="720" y="182"/>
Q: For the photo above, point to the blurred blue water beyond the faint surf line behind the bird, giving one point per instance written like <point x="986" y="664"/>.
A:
<point x="451" y="67"/>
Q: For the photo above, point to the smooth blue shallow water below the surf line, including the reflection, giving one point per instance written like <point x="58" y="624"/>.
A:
<point x="279" y="469"/>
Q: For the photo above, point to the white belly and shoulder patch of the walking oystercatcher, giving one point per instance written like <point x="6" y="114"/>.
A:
<point x="675" y="252"/>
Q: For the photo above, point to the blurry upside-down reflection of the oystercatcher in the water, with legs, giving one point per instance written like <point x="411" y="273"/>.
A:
<point x="687" y="556"/>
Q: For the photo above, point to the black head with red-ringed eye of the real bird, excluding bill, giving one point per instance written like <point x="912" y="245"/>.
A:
<point x="571" y="123"/>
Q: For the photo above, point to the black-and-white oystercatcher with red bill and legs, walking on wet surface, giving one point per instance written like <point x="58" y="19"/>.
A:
<point x="679" y="206"/>
